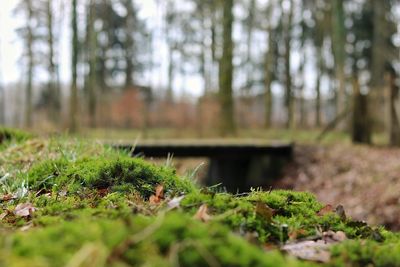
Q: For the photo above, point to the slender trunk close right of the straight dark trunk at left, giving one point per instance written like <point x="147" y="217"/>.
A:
<point x="92" y="86"/>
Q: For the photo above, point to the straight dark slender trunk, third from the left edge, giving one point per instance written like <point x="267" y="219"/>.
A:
<point x="74" y="86"/>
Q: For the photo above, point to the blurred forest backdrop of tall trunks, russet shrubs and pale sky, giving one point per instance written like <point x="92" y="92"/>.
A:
<point x="213" y="67"/>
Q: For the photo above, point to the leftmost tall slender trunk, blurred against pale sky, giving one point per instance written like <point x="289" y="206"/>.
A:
<point x="29" y="84"/>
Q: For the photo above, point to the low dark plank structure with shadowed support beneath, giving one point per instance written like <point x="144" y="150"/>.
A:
<point x="237" y="166"/>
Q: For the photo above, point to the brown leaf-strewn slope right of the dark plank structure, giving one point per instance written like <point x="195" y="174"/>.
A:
<point x="365" y="180"/>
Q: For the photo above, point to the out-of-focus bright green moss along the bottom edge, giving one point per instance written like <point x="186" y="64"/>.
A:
<point x="167" y="240"/>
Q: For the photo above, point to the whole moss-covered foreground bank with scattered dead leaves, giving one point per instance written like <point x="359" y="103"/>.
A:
<point x="77" y="203"/>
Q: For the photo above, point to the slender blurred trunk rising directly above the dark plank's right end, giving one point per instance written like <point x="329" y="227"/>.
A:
<point x="289" y="90"/>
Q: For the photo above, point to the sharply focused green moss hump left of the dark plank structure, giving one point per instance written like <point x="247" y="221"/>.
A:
<point x="116" y="173"/>
